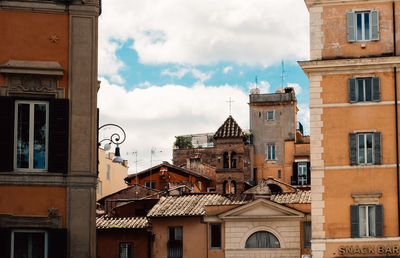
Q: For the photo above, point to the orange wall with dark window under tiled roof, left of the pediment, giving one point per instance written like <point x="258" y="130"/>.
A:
<point x="194" y="236"/>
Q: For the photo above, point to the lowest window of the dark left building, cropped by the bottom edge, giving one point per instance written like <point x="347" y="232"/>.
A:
<point x="29" y="244"/>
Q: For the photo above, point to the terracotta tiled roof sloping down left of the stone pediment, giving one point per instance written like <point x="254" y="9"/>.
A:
<point x="189" y="205"/>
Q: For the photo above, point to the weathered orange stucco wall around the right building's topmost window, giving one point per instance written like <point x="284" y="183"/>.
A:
<point x="335" y="32"/>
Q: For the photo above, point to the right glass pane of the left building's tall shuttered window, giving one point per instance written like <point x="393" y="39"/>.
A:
<point x="39" y="139"/>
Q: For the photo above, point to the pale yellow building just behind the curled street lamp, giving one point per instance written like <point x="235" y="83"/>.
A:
<point x="111" y="175"/>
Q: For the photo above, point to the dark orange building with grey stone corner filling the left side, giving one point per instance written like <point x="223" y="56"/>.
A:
<point x="48" y="88"/>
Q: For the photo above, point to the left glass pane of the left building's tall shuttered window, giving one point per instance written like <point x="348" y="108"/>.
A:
<point x="23" y="136"/>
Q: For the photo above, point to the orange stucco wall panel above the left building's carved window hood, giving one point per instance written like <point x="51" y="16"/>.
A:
<point x="25" y="36"/>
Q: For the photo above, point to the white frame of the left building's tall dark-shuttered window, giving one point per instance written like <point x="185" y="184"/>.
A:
<point x="31" y="135"/>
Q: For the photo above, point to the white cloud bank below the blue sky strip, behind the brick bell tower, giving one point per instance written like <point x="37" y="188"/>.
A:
<point x="152" y="116"/>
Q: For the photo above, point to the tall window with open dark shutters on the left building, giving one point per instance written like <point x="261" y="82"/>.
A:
<point x="34" y="135"/>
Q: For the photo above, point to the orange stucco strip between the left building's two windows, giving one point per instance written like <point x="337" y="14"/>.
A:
<point x="33" y="200"/>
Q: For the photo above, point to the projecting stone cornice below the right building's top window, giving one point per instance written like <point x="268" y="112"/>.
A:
<point x="338" y="66"/>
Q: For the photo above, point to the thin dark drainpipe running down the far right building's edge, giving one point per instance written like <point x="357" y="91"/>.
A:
<point x="396" y="118"/>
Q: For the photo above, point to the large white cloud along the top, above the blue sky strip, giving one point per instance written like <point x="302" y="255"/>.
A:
<point x="203" y="32"/>
